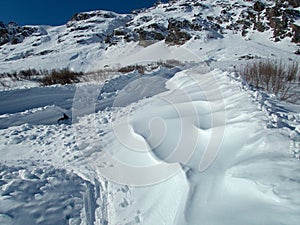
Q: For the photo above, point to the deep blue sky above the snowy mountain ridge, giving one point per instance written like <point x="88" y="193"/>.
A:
<point x="58" y="12"/>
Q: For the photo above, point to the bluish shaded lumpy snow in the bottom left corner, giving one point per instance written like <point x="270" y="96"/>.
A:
<point x="24" y="189"/>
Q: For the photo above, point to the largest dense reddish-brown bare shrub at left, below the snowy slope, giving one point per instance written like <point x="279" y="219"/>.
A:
<point x="63" y="76"/>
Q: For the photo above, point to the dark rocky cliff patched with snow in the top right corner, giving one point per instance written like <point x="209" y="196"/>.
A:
<point x="280" y="17"/>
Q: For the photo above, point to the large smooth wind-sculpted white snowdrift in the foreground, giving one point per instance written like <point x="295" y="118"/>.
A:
<point x="159" y="144"/>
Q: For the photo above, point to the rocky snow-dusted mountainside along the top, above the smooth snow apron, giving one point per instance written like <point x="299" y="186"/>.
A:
<point x="88" y="37"/>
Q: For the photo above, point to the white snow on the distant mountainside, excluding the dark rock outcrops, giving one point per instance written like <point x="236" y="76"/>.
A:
<point x="80" y="46"/>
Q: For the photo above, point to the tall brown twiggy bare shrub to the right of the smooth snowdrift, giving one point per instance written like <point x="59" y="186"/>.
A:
<point x="273" y="76"/>
